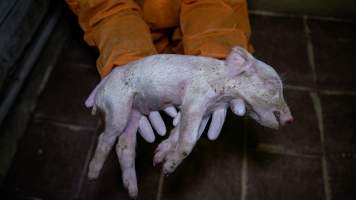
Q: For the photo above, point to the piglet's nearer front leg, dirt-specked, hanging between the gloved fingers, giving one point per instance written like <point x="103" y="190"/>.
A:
<point x="193" y="110"/>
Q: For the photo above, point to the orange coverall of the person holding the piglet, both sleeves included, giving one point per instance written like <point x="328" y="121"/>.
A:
<point x="126" y="30"/>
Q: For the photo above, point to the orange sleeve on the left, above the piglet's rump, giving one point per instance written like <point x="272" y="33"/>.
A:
<point x="116" y="28"/>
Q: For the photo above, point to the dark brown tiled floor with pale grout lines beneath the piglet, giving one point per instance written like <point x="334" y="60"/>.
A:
<point x="314" y="158"/>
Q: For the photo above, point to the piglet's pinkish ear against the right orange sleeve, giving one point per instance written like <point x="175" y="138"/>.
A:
<point x="238" y="61"/>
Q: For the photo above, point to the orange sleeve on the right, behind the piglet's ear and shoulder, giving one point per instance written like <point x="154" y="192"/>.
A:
<point x="212" y="27"/>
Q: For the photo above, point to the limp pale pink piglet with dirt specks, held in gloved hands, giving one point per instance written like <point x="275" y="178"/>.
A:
<point x="198" y="86"/>
